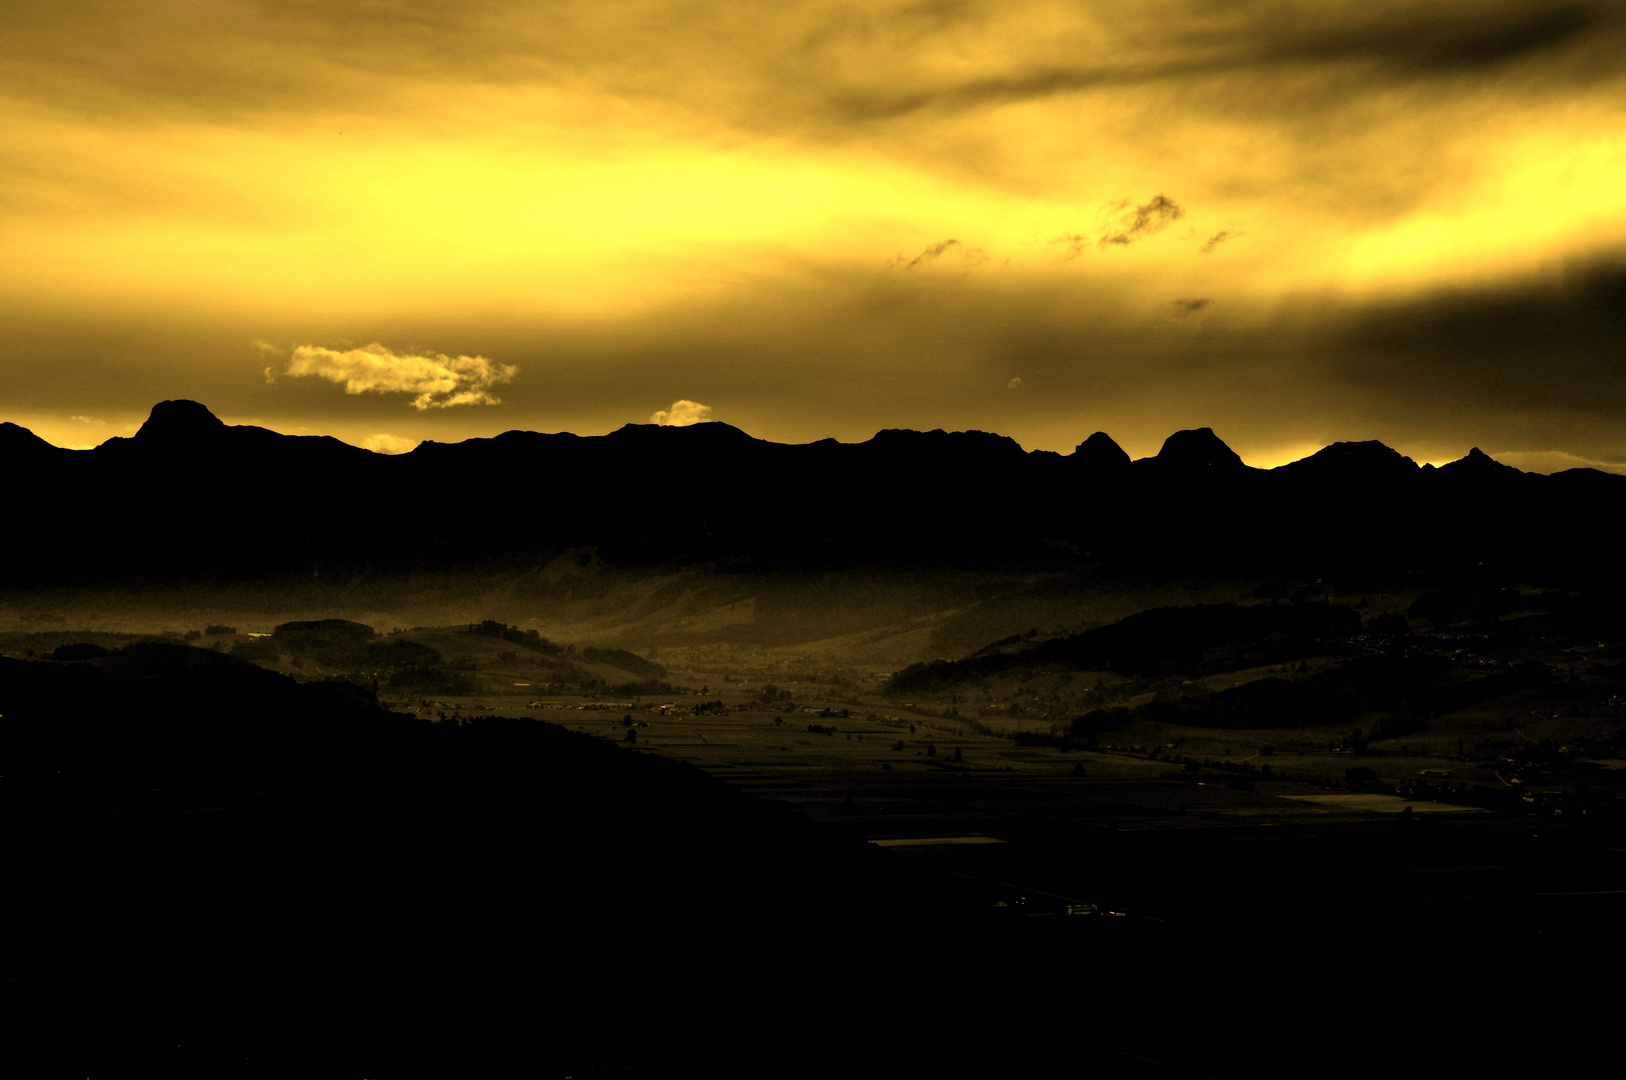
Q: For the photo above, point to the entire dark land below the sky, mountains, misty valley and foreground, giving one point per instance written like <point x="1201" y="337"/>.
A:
<point x="682" y="752"/>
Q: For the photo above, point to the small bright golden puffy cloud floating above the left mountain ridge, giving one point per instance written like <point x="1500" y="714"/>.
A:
<point x="437" y="380"/>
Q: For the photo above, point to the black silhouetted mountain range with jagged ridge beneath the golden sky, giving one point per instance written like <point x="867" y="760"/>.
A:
<point x="191" y="499"/>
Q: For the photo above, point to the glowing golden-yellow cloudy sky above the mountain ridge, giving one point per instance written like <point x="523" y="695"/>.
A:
<point x="1295" y="222"/>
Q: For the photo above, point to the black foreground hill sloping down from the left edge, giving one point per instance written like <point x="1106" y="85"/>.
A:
<point x="214" y="871"/>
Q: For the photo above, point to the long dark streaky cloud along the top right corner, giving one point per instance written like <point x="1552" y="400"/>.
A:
<point x="1380" y="45"/>
